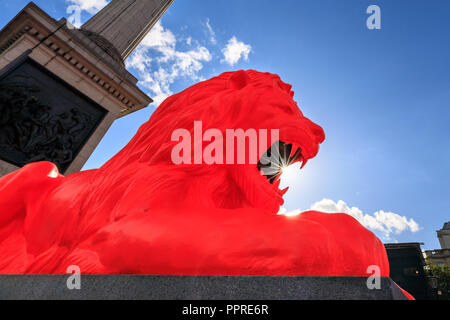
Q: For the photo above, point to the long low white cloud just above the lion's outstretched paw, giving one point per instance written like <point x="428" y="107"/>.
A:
<point x="387" y="223"/>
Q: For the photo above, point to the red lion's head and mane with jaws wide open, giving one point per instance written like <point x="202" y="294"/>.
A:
<point x="233" y="100"/>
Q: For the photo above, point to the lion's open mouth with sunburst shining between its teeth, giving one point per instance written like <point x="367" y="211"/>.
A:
<point x="277" y="157"/>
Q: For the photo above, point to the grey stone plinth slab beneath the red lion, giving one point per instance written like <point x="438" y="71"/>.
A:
<point x="136" y="287"/>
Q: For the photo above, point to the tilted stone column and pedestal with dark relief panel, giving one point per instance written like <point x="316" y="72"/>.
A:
<point x="61" y="88"/>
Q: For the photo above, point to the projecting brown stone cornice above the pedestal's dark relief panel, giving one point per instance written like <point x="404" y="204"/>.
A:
<point x="81" y="54"/>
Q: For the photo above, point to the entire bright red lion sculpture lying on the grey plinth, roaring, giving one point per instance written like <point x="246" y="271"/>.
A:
<point x="142" y="214"/>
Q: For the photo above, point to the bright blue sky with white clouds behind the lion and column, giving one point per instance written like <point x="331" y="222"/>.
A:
<point x="382" y="96"/>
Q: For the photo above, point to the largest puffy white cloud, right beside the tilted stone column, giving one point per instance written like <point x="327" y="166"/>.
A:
<point x="160" y="63"/>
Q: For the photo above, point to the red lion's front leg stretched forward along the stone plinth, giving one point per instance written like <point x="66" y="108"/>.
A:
<point x="240" y="242"/>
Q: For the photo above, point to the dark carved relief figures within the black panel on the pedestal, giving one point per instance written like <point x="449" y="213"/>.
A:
<point x="33" y="129"/>
